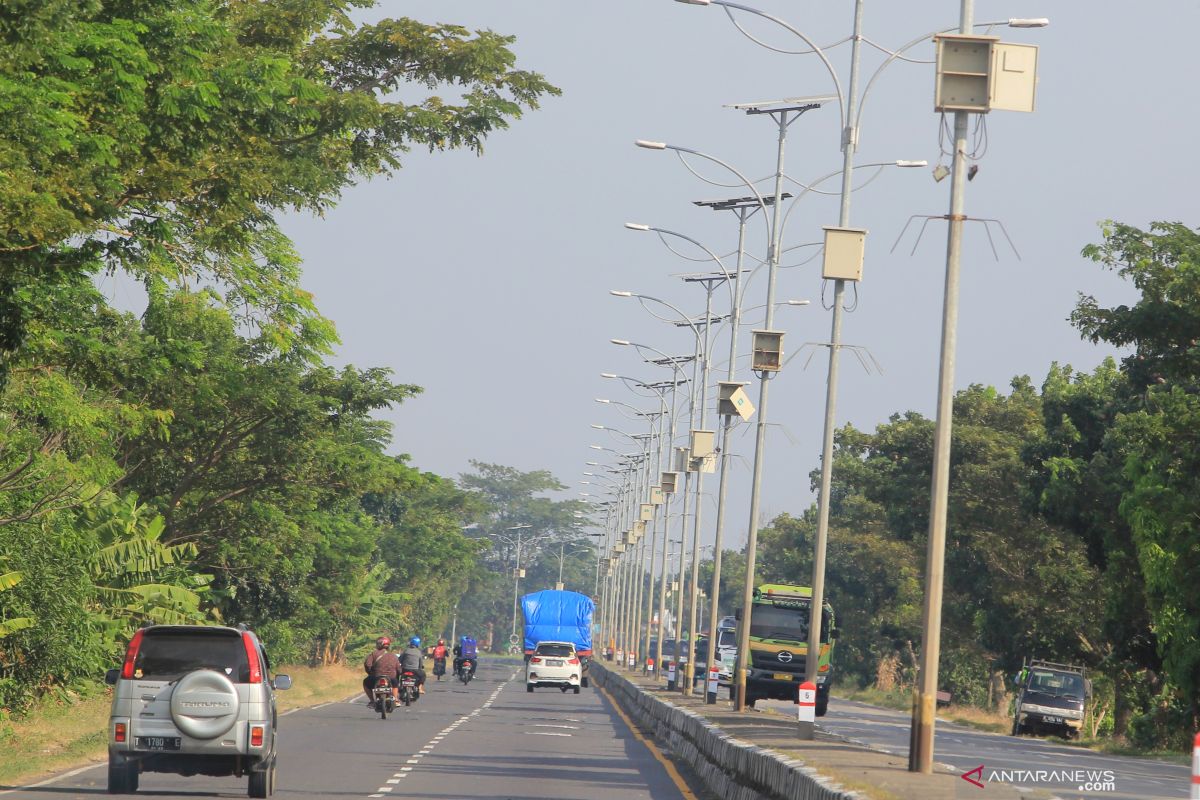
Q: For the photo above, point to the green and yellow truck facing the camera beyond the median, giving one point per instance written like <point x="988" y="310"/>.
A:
<point x="779" y="646"/>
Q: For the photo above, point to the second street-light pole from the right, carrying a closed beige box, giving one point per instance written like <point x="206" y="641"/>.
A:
<point x="849" y="146"/>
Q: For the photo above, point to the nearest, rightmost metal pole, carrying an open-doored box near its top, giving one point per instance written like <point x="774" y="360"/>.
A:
<point x="921" y="753"/>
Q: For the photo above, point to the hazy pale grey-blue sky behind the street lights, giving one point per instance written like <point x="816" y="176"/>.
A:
<point x="487" y="280"/>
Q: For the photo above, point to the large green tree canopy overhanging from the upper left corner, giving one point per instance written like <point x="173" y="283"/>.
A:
<point x="127" y="152"/>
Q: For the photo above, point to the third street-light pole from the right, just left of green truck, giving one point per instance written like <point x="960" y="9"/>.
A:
<point x="760" y="431"/>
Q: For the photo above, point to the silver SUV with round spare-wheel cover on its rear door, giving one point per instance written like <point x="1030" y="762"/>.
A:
<point x="194" y="700"/>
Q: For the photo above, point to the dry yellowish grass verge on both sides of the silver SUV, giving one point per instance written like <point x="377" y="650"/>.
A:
<point x="64" y="733"/>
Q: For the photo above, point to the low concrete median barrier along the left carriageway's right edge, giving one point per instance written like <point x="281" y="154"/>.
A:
<point x="731" y="768"/>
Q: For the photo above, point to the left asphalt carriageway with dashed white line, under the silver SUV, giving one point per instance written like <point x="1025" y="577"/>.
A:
<point x="488" y="741"/>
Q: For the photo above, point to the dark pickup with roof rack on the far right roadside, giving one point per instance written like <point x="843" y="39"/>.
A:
<point x="1052" y="699"/>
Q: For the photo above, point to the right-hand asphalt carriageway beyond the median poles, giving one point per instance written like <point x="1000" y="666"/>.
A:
<point x="1012" y="760"/>
